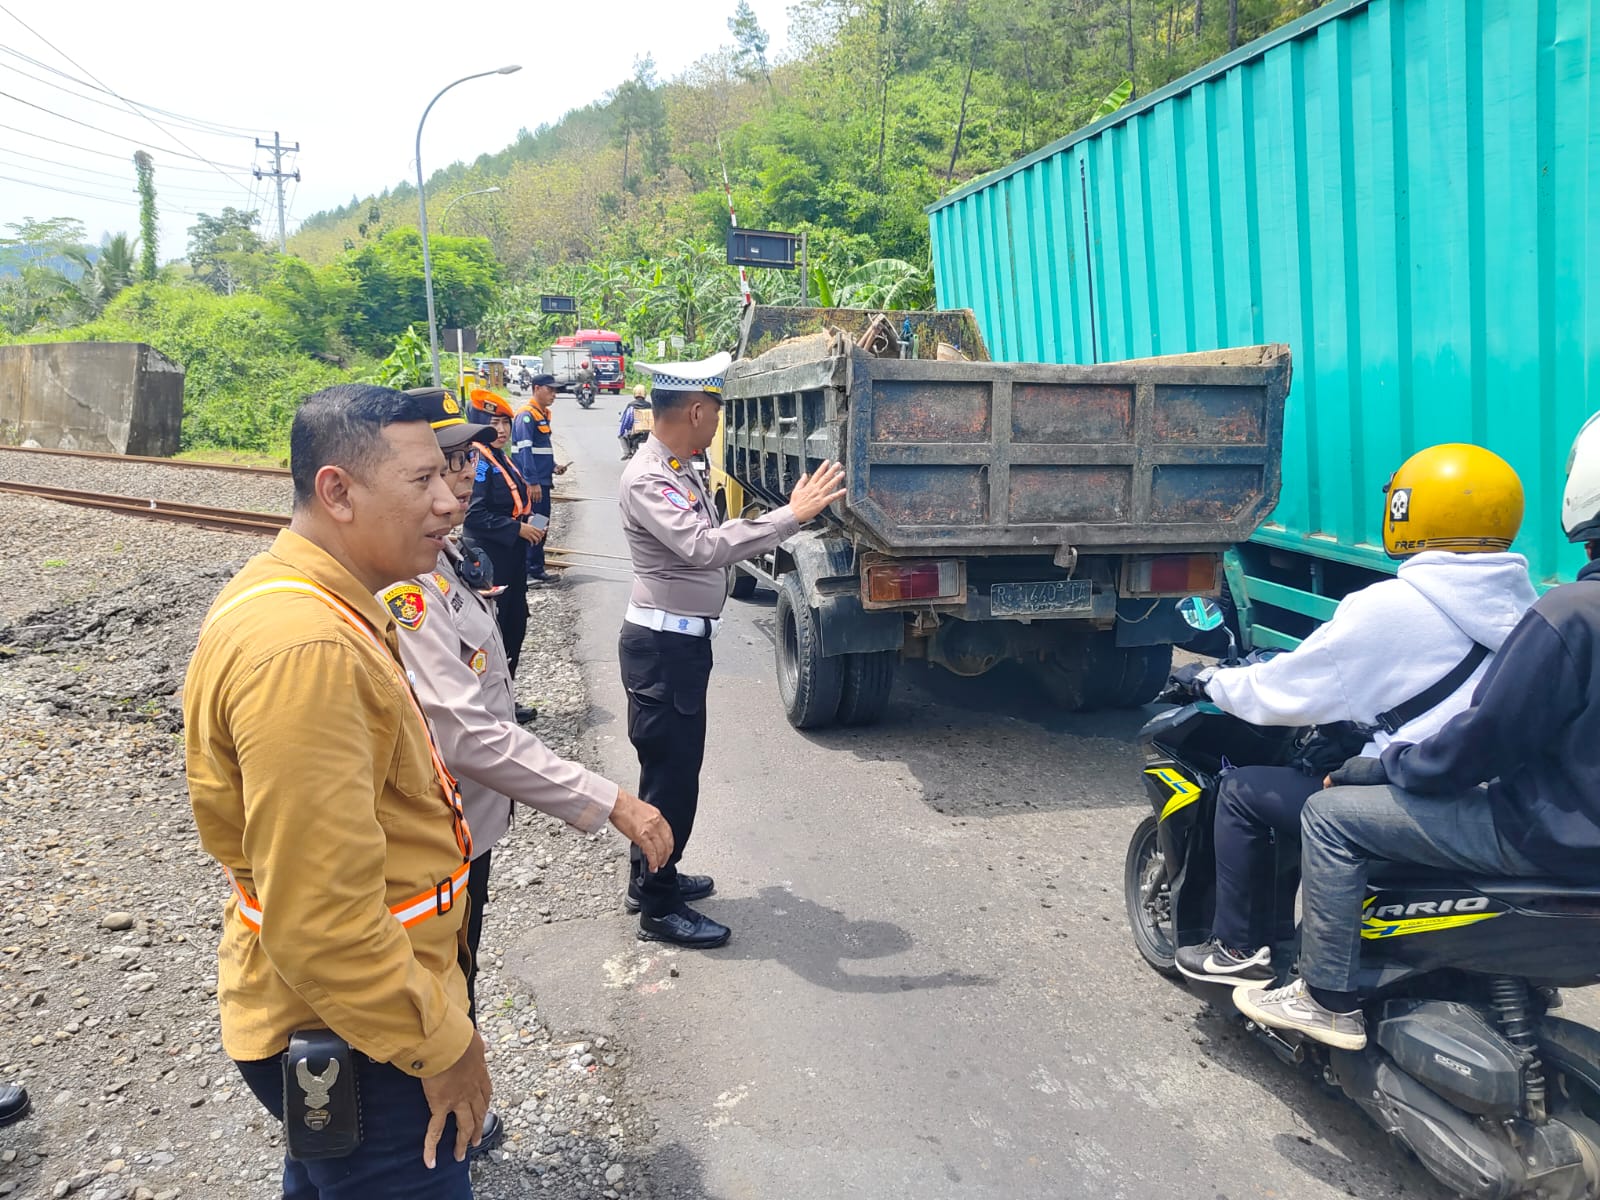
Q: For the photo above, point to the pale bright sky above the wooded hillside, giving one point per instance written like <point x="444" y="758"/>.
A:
<point x="345" y="81"/>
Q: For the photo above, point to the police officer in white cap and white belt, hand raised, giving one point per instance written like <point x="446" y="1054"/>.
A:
<point x="681" y="578"/>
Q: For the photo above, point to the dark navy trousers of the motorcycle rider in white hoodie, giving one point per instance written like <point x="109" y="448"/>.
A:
<point x="1258" y="854"/>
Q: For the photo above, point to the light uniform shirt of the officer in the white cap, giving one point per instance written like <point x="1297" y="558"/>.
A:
<point x="681" y="553"/>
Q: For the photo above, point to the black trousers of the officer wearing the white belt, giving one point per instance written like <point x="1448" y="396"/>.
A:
<point x="666" y="678"/>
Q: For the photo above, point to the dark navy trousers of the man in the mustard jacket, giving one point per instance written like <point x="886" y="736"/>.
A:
<point x="390" y="1161"/>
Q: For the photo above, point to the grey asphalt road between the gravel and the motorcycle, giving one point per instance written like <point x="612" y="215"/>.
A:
<point x="930" y="990"/>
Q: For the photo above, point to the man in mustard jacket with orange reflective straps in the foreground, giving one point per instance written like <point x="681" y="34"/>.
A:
<point x="318" y="788"/>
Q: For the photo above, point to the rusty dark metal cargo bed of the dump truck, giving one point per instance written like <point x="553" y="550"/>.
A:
<point x="1014" y="458"/>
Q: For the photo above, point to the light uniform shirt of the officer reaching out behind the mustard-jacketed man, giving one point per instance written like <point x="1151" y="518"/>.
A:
<point x="452" y="646"/>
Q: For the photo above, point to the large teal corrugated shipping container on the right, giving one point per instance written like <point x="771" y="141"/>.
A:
<point x="1404" y="191"/>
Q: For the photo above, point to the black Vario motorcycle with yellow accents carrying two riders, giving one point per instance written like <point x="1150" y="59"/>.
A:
<point x="1465" y="1063"/>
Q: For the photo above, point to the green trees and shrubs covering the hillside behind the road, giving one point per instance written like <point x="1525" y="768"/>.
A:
<point x="876" y="111"/>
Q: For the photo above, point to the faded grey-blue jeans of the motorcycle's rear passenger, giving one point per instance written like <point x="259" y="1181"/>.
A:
<point x="1346" y="830"/>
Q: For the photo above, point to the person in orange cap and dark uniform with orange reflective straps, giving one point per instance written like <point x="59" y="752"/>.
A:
<point x="498" y="522"/>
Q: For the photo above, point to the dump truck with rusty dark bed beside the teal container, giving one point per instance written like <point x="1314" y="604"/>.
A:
<point x="1050" y="516"/>
